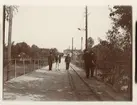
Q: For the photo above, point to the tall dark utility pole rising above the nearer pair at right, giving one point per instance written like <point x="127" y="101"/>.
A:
<point x="86" y="28"/>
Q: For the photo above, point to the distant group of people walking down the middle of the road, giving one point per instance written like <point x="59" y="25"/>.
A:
<point x="57" y="59"/>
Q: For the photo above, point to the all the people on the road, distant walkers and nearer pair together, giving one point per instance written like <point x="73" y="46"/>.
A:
<point x="88" y="57"/>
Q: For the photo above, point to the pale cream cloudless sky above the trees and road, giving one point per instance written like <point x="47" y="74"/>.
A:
<point x="54" y="26"/>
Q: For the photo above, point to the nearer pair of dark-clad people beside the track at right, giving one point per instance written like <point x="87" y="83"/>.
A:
<point x="90" y="62"/>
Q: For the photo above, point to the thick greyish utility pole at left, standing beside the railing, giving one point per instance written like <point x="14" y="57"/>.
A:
<point x="9" y="39"/>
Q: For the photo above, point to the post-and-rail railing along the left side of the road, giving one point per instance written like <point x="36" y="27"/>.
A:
<point x="18" y="67"/>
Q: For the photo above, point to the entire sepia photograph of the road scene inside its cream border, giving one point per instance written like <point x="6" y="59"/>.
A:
<point x="67" y="53"/>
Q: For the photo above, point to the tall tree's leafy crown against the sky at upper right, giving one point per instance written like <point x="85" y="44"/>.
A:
<point x="121" y="17"/>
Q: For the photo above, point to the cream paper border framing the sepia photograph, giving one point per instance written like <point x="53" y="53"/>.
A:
<point x="76" y="3"/>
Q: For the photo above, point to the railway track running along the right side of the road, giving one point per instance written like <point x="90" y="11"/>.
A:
<point x="74" y="77"/>
